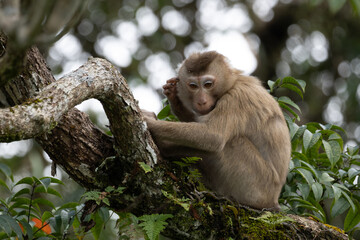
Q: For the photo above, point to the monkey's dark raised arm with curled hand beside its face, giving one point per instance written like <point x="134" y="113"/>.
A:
<point x="177" y="107"/>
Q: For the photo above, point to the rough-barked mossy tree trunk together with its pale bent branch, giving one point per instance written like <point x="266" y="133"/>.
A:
<point x="96" y="160"/>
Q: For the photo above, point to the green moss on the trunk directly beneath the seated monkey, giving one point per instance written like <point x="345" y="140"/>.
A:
<point x="215" y="217"/>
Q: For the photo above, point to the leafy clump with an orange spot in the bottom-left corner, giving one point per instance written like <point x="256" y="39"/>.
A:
<point x="21" y="214"/>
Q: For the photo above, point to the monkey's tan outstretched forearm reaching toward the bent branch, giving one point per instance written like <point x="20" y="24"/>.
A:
<point x="194" y="135"/>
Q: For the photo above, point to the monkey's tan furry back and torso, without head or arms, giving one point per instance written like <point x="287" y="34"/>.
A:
<point x="253" y="165"/>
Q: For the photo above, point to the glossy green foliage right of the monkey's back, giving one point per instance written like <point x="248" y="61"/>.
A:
<point x="323" y="178"/>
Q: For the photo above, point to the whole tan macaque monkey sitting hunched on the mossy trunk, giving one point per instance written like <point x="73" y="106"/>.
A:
<point x="233" y="124"/>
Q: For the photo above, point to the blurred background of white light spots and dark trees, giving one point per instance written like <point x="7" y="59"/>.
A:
<point x="317" y="41"/>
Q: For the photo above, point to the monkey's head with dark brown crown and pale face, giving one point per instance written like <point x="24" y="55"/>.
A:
<point x="203" y="79"/>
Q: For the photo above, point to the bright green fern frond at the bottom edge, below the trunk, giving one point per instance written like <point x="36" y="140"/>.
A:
<point x="154" y="224"/>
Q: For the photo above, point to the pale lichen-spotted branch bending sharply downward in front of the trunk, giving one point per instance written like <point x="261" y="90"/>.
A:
<point x="96" y="79"/>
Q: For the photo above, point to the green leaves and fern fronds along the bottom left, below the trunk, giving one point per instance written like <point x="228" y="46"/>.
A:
<point x="26" y="214"/>
